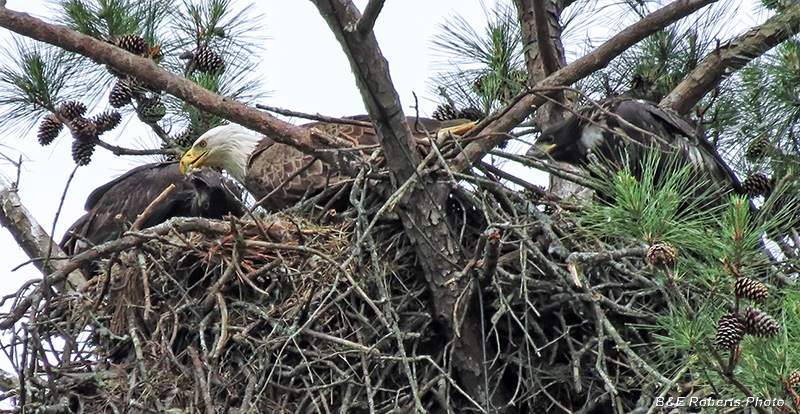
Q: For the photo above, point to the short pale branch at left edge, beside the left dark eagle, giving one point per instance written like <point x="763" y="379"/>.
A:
<point x="34" y="240"/>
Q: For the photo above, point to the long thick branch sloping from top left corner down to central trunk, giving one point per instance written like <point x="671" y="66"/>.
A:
<point x="102" y="52"/>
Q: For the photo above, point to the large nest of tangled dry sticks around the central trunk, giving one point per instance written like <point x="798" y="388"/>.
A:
<point x="287" y="316"/>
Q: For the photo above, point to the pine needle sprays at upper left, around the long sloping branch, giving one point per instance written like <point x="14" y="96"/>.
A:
<point x="37" y="79"/>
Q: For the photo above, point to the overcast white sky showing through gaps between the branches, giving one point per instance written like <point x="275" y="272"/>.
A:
<point x="302" y="63"/>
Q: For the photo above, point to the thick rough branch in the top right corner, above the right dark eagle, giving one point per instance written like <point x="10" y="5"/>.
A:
<point x="731" y="57"/>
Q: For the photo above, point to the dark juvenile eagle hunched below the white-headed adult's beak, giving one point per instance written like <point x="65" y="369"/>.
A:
<point x="111" y="208"/>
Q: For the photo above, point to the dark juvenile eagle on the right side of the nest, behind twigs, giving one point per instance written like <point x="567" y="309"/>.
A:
<point x="620" y="131"/>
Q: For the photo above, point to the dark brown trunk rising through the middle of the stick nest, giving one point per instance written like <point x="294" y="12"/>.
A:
<point x="422" y="210"/>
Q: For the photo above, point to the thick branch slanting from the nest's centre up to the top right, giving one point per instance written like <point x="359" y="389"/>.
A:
<point x="494" y="130"/>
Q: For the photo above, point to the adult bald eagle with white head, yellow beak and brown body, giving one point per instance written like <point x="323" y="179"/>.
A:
<point x="265" y="167"/>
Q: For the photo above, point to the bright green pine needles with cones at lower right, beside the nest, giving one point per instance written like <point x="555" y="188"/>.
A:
<point x="715" y="245"/>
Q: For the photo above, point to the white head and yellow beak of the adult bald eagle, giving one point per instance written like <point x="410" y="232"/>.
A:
<point x="226" y="147"/>
